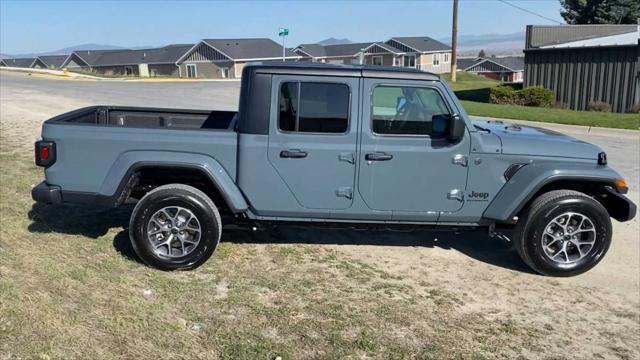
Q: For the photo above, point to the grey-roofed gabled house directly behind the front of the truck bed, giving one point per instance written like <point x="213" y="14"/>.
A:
<point x="225" y="58"/>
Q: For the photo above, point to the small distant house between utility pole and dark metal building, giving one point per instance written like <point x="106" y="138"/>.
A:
<point x="507" y="68"/>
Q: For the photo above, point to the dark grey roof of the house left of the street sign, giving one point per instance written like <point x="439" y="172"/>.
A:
<point x="248" y="49"/>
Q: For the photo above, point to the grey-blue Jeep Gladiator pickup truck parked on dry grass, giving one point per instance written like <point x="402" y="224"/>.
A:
<point x="350" y="145"/>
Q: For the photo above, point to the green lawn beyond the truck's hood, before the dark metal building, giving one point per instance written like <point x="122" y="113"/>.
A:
<point x="473" y="90"/>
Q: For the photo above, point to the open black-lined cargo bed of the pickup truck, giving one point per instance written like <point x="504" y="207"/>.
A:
<point x="139" y="117"/>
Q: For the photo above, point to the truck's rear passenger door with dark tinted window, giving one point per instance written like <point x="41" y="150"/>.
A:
<point x="312" y="140"/>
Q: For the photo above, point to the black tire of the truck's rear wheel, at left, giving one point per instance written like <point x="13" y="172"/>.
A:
<point x="186" y="197"/>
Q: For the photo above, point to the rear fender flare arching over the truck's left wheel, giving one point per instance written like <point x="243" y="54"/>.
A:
<point x="122" y="170"/>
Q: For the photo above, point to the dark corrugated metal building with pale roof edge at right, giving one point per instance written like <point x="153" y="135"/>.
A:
<point x="583" y="64"/>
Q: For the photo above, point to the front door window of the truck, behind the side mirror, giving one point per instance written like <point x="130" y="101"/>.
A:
<point x="401" y="110"/>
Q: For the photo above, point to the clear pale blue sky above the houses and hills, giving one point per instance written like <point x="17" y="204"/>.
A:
<point x="43" y="26"/>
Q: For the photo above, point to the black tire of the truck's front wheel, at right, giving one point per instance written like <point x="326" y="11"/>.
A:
<point x="528" y="233"/>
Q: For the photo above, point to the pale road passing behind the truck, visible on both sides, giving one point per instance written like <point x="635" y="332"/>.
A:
<point x="622" y="146"/>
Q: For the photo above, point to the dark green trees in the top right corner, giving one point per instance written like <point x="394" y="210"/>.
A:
<point x="600" y="11"/>
